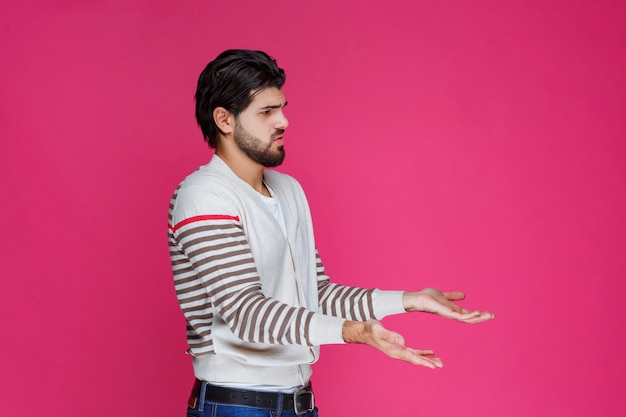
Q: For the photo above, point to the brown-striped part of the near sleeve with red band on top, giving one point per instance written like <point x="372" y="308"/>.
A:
<point x="214" y="271"/>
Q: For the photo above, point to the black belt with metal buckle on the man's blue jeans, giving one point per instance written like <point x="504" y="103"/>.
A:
<point x="301" y="401"/>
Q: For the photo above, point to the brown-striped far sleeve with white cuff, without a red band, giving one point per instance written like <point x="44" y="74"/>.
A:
<point x="355" y="303"/>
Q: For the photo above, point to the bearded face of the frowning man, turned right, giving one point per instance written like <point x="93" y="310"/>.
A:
<point x="259" y="129"/>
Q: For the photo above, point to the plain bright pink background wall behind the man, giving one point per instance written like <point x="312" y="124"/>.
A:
<point x="463" y="145"/>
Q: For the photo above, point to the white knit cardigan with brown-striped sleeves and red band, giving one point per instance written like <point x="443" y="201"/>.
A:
<point x="257" y="303"/>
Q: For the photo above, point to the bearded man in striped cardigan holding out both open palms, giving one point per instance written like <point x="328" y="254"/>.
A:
<point x="247" y="273"/>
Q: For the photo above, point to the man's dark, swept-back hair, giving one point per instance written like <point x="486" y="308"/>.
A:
<point x="230" y="81"/>
